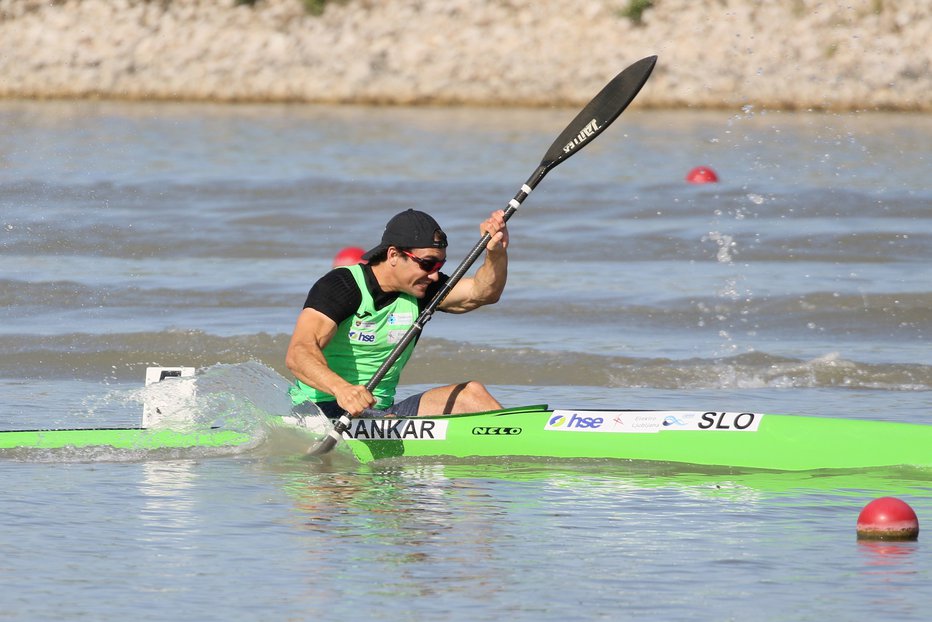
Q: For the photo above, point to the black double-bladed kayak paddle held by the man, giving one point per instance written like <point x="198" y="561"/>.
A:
<point x="589" y="123"/>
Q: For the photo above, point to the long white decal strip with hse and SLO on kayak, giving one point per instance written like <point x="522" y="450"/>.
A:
<point x="649" y="422"/>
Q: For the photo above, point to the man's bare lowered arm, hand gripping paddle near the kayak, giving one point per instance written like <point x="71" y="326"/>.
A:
<point x="305" y="358"/>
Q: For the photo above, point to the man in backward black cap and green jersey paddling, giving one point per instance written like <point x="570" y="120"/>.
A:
<point x="355" y="314"/>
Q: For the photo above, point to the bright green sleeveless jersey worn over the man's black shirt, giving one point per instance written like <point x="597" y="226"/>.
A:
<point x="363" y="342"/>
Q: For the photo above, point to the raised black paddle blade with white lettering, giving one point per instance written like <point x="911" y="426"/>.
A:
<point x="600" y="112"/>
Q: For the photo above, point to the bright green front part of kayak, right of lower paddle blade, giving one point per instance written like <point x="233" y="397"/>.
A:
<point x="743" y="440"/>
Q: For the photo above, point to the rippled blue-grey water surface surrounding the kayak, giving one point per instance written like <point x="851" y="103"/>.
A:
<point x="143" y="234"/>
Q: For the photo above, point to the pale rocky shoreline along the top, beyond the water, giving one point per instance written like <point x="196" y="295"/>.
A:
<point x="773" y="54"/>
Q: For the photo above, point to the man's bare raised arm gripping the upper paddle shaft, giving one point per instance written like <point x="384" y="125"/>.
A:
<point x="487" y="285"/>
